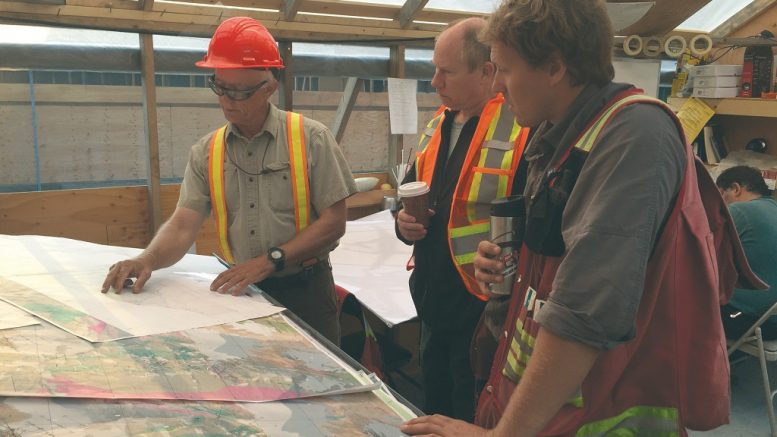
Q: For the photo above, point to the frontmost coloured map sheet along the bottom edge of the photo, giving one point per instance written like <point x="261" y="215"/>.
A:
<point x="349" y="415"/>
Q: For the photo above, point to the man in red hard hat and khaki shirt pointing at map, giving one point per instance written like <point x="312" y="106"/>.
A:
<point x="276" y="183"/>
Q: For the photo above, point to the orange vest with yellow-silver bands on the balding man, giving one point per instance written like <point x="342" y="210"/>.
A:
<point x="487" y="174"/>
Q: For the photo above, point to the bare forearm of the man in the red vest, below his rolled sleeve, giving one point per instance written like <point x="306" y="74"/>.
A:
<point x="554" y="374"/>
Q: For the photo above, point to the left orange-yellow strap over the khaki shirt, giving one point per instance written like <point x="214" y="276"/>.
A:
<point x="217" y="196"/>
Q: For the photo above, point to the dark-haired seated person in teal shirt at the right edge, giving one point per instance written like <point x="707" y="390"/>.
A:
<point x="755" y="217"/>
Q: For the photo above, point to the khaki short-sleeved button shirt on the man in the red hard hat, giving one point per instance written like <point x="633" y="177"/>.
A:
<point x="257" y="181"/>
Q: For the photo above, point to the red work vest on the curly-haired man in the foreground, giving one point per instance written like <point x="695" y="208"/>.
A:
<point x="674" y="373"/>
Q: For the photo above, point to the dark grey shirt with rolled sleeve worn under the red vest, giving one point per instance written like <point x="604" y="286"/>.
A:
<point x="624" y="194"/>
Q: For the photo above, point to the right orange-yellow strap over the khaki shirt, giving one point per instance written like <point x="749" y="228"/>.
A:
<point x="299" y="165"/>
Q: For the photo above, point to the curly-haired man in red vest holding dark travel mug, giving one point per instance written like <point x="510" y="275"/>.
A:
<point x="613" y="325"/>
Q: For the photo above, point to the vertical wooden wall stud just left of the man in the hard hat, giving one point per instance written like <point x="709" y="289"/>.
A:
<point x="152" y="130"/>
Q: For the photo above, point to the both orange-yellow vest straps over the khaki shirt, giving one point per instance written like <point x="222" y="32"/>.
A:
<point x="300" y="184"/>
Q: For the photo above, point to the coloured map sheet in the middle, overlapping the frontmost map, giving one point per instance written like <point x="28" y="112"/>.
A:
<point x="253" y="361"/>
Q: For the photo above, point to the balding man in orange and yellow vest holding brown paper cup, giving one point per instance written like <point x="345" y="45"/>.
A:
<point x="469" y="156"/>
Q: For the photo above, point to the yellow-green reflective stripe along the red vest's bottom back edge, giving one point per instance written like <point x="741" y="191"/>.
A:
<point x="634" y="421"/>
